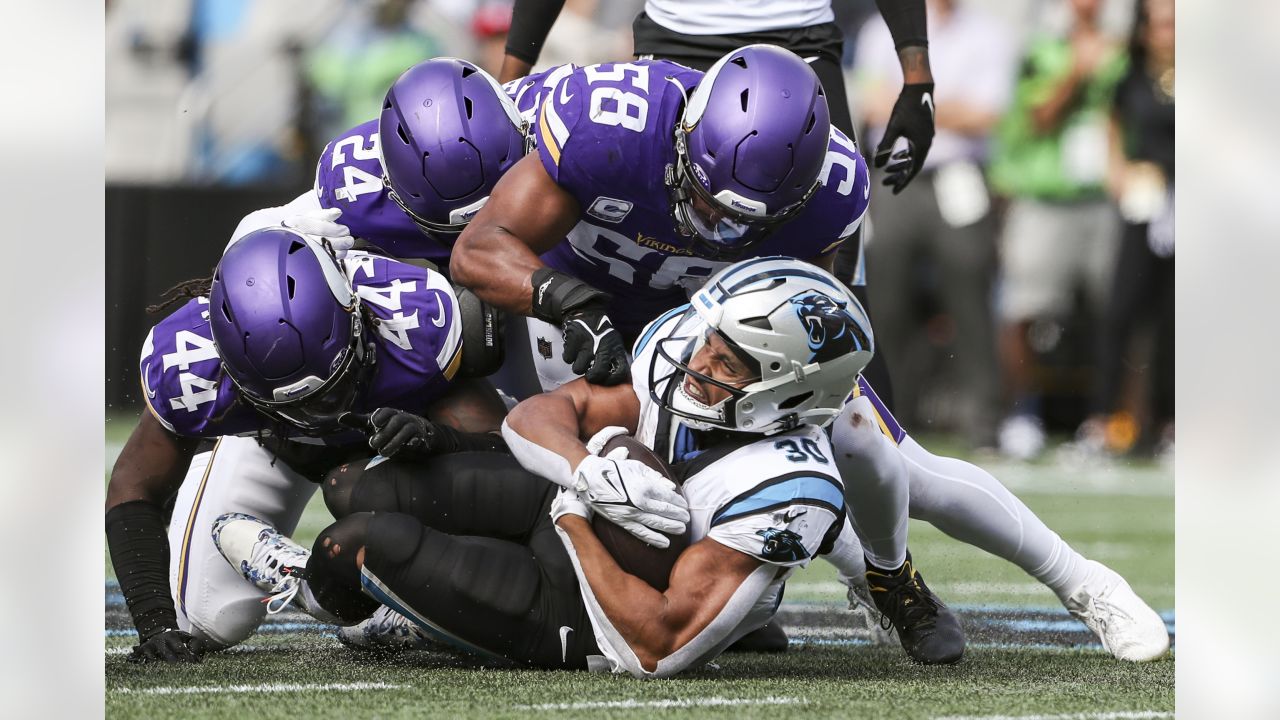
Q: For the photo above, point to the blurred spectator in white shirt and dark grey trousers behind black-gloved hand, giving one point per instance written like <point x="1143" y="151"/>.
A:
<point x="944" y="221"/>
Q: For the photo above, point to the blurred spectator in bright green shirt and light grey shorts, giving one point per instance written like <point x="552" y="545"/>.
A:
<point x="1060" y="233"/>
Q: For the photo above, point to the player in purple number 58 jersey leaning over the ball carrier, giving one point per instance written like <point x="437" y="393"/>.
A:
<point x="659" y="177"/>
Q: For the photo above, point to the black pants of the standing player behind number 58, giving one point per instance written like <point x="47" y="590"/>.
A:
<point x="822" y="42"/>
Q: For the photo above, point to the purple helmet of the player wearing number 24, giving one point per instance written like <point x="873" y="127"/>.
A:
<point x="449" y="133"/>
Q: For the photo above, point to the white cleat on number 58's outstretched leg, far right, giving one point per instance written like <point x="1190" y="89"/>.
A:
<point x="1128" y="627"/>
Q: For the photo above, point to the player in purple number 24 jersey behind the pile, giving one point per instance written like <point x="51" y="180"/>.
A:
<point x="410" y="180"/>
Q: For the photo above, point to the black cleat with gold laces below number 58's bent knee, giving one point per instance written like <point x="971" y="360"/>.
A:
<point x="929" y="631"/>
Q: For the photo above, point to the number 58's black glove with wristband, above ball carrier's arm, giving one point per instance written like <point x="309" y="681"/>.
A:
<point x="592" y="345"/>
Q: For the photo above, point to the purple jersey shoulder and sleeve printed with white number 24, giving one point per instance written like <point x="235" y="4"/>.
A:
<point x="350" y="177"/>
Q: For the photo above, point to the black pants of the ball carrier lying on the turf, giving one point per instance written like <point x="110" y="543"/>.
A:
<point x="464" y="544"/>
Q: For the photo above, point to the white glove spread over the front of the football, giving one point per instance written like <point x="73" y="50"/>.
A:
<point x="633" y="496"/>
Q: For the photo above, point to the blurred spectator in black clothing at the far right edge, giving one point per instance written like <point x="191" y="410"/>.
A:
<point x="1142" y="181"/>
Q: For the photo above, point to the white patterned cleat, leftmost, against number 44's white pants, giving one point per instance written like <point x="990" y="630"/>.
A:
<point x="266" y="558"/>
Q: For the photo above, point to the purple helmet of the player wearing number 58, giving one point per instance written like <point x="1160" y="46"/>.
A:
<point x="749" y="149"/>
